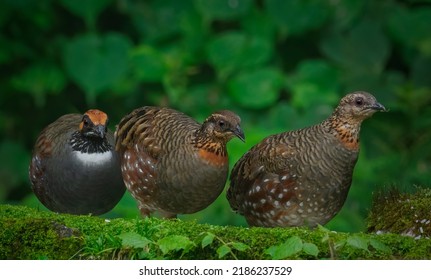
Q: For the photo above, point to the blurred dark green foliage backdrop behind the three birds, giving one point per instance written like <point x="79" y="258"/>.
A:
<point x="279" y="64"/>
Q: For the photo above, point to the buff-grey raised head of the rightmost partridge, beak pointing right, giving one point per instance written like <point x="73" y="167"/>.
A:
<point x="358" y="106"/>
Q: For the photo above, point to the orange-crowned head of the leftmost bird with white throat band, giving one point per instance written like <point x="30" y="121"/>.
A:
<point x="94" y="123"/>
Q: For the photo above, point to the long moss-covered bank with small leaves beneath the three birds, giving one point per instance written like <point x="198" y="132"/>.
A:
<point x="27" y="233"/>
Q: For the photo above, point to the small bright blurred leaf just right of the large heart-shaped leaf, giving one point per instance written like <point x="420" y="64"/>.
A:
<point x="148" y="64"/>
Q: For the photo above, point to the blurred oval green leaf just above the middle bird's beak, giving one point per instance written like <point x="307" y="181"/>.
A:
<point x="257" y="88"/>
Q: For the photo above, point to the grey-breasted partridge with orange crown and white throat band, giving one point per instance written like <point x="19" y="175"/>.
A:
<point x="74" y="168"/>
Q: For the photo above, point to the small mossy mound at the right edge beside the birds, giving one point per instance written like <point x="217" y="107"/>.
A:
<point x="402" y="213"/>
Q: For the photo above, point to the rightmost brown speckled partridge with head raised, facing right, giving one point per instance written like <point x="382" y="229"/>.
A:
<point x="301" y="177"/>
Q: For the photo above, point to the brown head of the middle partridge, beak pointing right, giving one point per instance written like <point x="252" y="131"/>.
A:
<point x="224" y="125"/>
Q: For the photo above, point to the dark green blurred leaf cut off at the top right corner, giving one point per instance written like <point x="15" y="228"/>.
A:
<point x="412" y="28"/>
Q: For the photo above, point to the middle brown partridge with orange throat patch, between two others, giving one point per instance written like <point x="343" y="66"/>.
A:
<point x="171" y="163"/>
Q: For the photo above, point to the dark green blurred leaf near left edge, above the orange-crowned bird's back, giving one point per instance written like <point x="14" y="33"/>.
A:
<point x="40" y="80"/>
